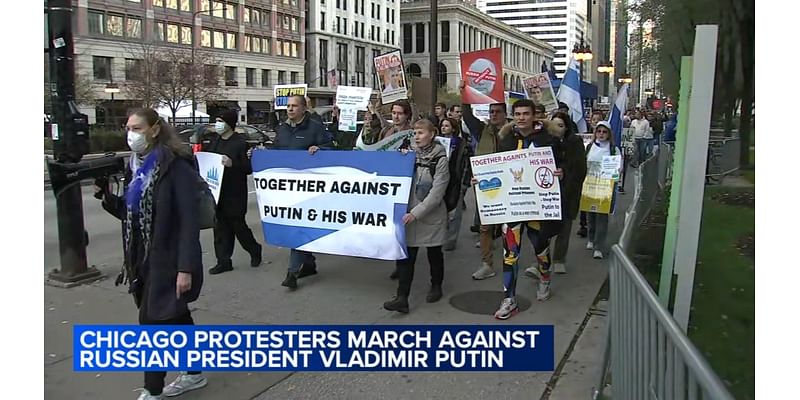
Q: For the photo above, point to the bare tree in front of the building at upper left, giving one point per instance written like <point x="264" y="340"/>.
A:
<point x="166" y="76"/>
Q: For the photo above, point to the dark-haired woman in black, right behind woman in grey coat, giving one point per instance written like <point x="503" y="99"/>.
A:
<point x="459" y="161"/>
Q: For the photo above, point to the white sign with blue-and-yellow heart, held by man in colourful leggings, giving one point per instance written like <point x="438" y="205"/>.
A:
<point x="517" y="185"/>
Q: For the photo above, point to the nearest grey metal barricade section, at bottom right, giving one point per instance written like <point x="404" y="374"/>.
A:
<point x="651" y="358"/>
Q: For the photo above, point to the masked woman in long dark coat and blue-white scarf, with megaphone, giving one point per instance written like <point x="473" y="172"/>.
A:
<point x="162" y="261"/>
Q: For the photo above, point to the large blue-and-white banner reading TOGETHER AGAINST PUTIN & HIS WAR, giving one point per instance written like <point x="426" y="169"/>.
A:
<point x="334" y="202"/>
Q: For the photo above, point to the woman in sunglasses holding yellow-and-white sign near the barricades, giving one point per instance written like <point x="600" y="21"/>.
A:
<point x="602" y="145"/>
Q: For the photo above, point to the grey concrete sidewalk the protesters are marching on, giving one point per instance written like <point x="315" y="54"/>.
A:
<point x="346" y="291"/>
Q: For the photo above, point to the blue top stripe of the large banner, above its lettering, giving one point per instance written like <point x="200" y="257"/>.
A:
<point x="385" y="163"/>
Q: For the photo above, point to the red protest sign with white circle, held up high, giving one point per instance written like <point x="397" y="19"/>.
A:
<point x="483" y="73"/>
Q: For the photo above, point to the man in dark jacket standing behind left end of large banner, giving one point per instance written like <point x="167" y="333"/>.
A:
<point x="299" y="132"/>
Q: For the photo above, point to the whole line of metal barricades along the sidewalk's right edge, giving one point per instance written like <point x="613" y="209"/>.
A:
<point x="647" y="354"/>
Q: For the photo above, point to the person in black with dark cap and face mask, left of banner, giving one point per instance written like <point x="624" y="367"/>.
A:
<point x="232" y="205"/>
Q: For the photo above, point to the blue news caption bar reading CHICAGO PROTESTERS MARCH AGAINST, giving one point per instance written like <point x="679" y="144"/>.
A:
<point x="313" y="348"/>
